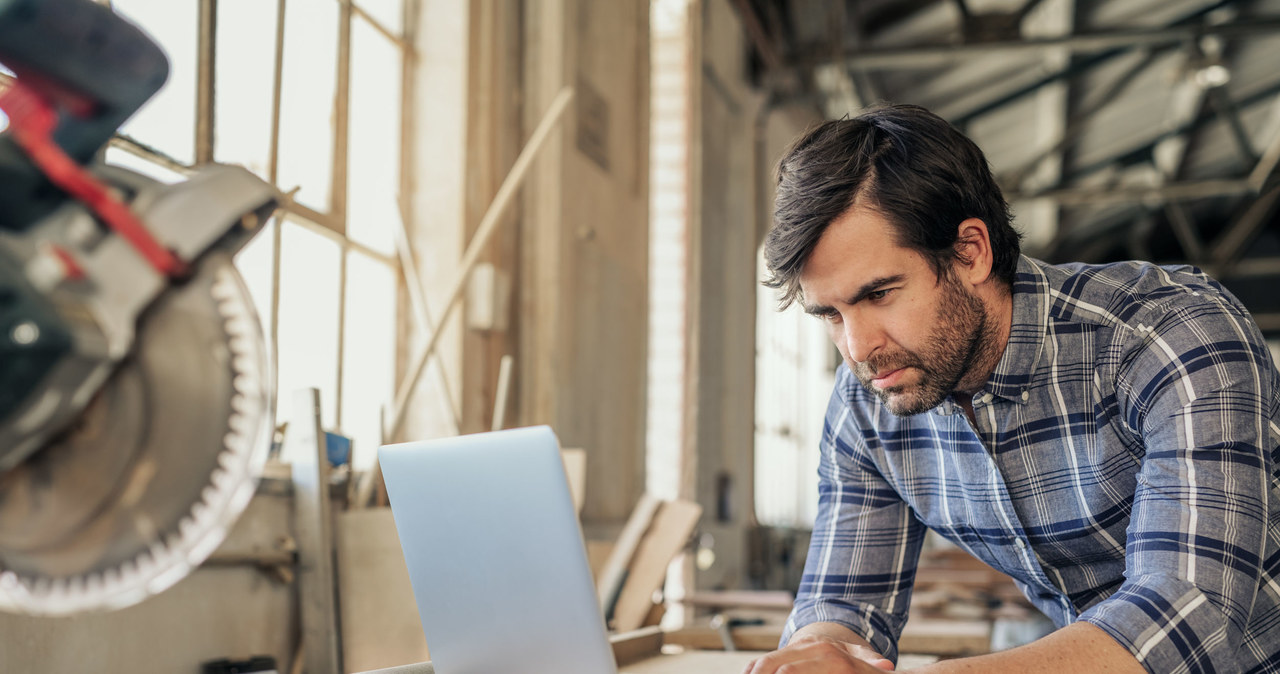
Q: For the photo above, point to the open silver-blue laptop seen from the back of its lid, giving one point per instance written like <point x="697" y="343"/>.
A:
<point x="496" y="554"/>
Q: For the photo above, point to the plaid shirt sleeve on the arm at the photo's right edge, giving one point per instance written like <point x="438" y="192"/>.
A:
<point x="1199" y="389"/>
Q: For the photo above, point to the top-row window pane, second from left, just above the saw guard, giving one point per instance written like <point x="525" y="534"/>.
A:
<point x="244" y="82"/>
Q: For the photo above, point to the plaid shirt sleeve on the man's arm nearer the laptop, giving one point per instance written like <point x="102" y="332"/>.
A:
<point x="866" y="542"/>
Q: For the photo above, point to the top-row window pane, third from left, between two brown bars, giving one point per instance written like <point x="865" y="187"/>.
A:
<point x="308" y="99"/>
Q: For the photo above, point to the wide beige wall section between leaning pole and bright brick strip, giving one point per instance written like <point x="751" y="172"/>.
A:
<point x="583" y="278"/>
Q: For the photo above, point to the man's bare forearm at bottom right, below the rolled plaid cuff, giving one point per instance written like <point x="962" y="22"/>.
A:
<point x="1077" y="648"/>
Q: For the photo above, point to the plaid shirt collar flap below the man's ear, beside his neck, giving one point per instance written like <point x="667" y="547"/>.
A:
<point x="1013" y="375"/>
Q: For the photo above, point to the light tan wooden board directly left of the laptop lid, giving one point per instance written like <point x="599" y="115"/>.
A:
<point x="380" y="617"/>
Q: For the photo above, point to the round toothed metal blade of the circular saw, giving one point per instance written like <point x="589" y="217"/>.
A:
<point x="152" y="476"/>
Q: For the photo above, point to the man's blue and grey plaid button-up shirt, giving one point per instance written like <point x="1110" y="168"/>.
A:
<point x="1123" y="470"/>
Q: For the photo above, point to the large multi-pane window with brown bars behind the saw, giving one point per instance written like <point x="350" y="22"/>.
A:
<point x="301" y="93"/>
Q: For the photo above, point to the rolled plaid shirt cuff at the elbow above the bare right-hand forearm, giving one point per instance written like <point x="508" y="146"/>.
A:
<point x="1169" y="626"/>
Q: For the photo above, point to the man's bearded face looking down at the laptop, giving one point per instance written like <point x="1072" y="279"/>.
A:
<point x="907" y="336"/>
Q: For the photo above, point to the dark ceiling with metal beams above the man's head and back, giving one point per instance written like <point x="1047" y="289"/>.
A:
<point x="1119" y="129"/>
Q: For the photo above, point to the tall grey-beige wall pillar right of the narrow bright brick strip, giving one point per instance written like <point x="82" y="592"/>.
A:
<point x="723" y="290"/>
